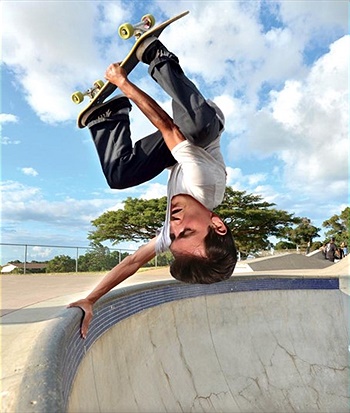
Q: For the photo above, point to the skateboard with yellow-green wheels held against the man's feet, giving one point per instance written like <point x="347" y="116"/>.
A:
<point x="100" y="91"/>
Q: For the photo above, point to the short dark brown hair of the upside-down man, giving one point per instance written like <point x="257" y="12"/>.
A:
<point x="218" y="265"/>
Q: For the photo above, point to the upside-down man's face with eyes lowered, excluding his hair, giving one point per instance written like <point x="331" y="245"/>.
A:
<point x="189" y="225"/>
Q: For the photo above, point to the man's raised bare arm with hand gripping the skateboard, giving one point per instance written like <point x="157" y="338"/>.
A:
<point x="156" y="115"/>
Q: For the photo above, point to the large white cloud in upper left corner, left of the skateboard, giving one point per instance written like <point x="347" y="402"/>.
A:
<point x="58" y="49"/>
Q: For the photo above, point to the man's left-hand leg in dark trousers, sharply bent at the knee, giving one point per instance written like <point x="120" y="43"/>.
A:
<point x="126" y="165"/>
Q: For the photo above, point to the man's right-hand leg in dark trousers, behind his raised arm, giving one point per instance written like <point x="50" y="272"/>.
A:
<point x="196" y="119"/>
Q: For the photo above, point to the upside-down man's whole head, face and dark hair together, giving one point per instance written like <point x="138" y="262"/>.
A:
<point x="202" y="244"/>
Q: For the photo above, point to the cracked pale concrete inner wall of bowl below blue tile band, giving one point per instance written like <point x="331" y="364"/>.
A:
<point x="266" y="351"/>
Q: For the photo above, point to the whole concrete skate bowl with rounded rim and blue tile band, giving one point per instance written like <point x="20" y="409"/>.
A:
<point x="257" y="344"/>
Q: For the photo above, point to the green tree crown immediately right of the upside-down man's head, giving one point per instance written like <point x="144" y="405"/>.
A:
<point x="252" y="220"/>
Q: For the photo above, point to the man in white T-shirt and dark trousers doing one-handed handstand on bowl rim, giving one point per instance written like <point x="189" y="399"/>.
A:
<point x="189" y="146"/>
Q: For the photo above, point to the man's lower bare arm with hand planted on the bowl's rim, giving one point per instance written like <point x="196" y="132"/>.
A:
<point x="119" y="273"/>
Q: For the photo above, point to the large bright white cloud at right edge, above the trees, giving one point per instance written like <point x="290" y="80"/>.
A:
<point x="305" y="125"/>
